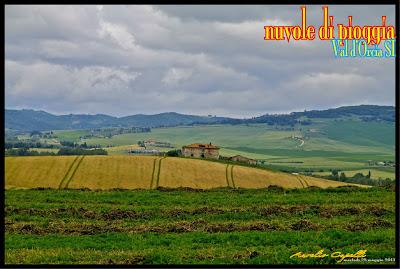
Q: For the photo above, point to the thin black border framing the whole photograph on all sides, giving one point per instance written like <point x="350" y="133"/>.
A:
<point x="276" y="2"/>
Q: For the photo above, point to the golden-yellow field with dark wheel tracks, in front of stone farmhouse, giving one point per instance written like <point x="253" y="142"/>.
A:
<point x="144" y="172"/>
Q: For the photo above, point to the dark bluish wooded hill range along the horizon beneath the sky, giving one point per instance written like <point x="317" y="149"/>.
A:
<point x="29" y="120"/>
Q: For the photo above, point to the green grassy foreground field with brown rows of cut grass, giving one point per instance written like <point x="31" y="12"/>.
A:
<point x="205" y="227"/>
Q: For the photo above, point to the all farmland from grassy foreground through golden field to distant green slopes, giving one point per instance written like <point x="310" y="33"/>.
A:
<point x="125" y="209"/>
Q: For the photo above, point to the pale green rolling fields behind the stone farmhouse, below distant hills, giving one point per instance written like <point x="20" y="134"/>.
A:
<point x="328" y="144"/>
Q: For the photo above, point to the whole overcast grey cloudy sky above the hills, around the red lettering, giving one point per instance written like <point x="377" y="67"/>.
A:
<point x="124" y="60"/>
